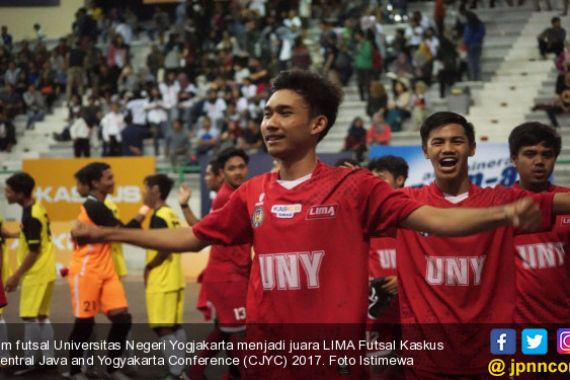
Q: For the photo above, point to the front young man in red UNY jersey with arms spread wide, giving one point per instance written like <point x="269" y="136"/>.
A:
<point x="309" y="223"/>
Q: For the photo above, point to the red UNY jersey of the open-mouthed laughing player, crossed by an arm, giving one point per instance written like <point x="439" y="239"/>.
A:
<point x="448" y="285"/>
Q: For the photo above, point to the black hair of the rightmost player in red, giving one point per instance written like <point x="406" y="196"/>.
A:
<point x="533" y="133"/>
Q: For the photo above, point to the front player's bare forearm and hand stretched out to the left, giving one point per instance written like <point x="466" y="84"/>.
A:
<point x="169" y="240"/>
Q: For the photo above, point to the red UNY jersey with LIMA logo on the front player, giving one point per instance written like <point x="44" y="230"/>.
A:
<point x="311" y="242"/>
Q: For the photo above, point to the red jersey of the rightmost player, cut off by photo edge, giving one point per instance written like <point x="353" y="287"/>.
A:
<point x="543" y="273"/>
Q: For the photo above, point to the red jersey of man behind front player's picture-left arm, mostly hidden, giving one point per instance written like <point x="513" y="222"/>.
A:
<point x="227" y="263"/>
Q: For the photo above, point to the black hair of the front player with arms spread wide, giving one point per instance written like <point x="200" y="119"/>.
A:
<point x="321" y="95"/>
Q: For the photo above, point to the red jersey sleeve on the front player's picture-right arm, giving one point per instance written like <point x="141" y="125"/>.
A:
<point x="386" y="208"/>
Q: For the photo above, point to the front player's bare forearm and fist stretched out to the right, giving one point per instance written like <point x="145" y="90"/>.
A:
<point x="523" y="214"/>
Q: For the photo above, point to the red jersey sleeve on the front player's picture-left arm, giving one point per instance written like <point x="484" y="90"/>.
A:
<point x="229" y="225"/>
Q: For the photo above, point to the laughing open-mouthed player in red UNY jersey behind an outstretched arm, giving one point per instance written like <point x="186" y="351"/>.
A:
<point x="451" y="286"/>
